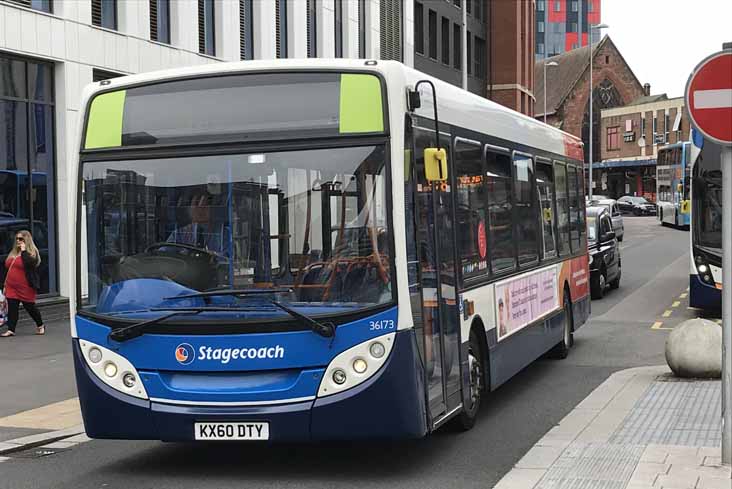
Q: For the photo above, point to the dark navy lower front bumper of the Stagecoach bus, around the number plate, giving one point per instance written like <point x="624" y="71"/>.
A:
<point x="388" y="405"/>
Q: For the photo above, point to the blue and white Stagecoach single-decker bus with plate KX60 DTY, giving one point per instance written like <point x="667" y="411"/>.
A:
<point x="281" y="250"/>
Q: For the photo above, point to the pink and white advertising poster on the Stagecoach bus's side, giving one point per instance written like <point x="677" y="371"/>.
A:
<point x="525" y="299"/>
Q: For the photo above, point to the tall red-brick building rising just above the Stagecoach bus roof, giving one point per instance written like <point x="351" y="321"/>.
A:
<point x="511" y="57"/>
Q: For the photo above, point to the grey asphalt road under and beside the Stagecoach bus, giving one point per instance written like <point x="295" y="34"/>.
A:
<point x="619" y="335"/>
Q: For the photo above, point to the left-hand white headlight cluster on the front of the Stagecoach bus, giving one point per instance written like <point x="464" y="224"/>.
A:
<point x="106" y="365"/>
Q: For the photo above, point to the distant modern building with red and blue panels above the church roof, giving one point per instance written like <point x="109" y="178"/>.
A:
<point x="563" y="25"/>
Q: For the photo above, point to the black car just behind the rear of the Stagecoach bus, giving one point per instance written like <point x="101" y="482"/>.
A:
<point x="604" y="251"/>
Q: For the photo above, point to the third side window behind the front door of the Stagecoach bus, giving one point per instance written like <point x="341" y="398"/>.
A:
<point x="526" y="211"/>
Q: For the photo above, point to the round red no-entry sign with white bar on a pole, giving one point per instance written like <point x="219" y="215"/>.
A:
<point x="709" y="97"/>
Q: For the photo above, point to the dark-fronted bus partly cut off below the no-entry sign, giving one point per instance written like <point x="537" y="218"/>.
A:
<point x="705" y="276"/>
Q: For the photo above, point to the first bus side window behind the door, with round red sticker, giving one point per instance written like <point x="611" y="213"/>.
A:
<point x="471" y="209"/>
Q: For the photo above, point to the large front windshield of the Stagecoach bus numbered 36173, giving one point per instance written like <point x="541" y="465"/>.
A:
<point x="312" y="222"/>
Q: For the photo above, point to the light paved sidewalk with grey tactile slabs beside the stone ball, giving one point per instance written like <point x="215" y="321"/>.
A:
<point x="641" y="429"/>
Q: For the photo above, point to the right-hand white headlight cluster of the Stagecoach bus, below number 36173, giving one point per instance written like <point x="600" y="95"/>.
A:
<point x="354" y="361"/>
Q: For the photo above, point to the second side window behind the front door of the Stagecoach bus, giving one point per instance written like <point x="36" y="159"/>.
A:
<point x="500" y="205"/>
